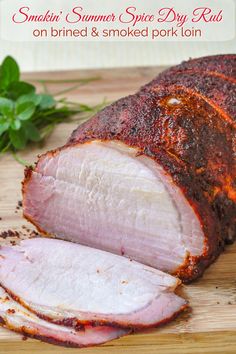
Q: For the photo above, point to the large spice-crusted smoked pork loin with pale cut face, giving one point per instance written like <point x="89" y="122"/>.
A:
<point x="152" y="176"/>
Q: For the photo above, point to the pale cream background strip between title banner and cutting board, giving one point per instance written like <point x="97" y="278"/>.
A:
<point x="41" y="56"/>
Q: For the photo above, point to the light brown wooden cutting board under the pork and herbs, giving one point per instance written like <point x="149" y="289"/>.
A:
<point x="210" y="327"/>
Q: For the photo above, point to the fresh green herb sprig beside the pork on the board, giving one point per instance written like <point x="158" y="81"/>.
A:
<point x="26" y="116"/>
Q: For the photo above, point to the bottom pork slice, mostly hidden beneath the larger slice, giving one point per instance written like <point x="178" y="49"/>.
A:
<point x="16" y="318"/>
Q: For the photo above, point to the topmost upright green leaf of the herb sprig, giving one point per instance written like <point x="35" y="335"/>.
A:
<point x="9" y="73"/>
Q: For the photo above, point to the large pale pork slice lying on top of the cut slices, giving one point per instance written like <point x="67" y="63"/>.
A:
<point x="69" y="283"/>
